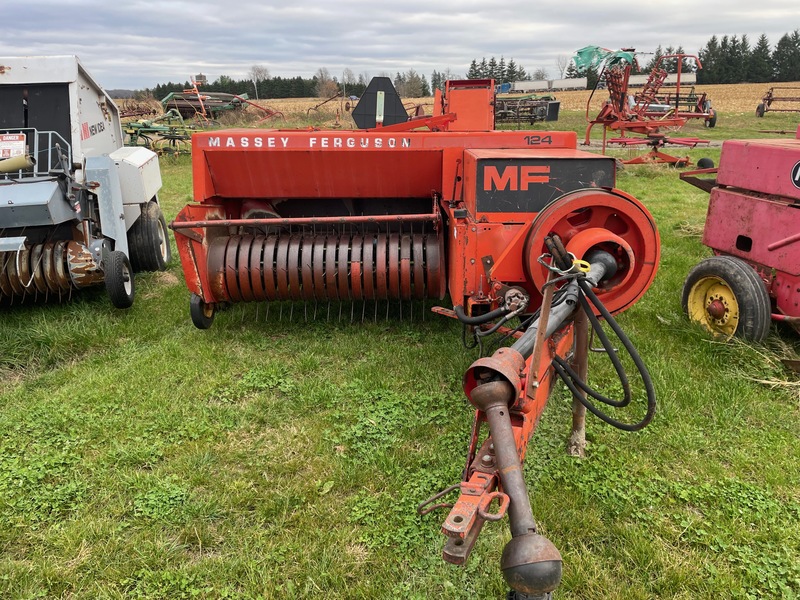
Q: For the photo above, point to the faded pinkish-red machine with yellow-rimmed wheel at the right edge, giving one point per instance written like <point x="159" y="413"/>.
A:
<point x="753" y="229"/>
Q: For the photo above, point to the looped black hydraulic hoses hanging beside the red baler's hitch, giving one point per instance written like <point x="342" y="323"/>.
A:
<point x="573" y="382"/>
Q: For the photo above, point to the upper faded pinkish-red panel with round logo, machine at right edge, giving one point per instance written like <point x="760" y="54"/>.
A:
<point x="766" y="166"/>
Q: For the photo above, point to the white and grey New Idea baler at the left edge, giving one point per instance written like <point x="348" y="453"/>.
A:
<point x="76" y="208"/>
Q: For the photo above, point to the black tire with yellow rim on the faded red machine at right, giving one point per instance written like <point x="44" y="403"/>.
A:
<point x="739" y="288"/>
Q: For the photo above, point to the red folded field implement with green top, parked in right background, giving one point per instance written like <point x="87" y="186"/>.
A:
<point x="649" y="112"/>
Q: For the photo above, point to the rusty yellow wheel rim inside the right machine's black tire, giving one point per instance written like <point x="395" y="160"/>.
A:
<point x="713" y="304"/>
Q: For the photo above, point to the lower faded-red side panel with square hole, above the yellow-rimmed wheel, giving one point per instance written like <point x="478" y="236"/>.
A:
<point x="754" y="229"/>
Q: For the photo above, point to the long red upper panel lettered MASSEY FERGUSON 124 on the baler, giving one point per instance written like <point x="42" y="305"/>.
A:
<point x="243" y="163"/>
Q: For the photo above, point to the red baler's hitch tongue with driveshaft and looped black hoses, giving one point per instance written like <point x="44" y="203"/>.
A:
<point x="498" y="387"/>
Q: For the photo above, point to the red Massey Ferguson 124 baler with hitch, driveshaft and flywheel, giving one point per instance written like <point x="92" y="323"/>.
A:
<point x="516" y="226"/>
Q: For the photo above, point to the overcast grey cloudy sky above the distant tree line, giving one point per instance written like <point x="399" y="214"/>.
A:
<point x="135" y="44"/>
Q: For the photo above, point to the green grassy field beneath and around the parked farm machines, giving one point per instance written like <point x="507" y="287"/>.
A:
<point x="277" y="457"/>
